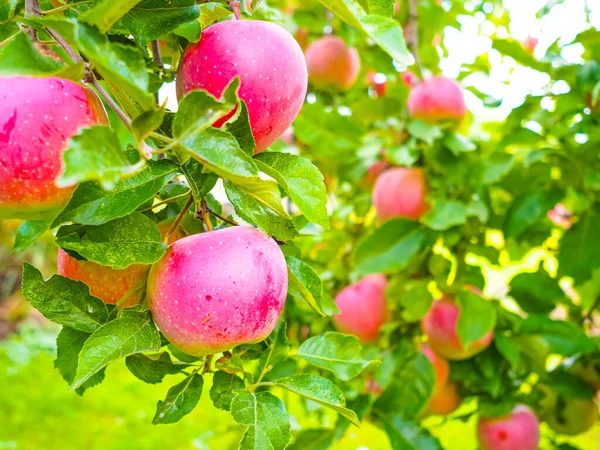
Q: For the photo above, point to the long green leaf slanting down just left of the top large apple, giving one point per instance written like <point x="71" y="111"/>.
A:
<point x="120" y="65"/>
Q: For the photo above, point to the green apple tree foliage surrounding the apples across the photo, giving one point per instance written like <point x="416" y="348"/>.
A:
<point x="491" y="188"/>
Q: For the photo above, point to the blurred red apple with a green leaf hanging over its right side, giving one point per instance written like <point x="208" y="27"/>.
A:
<point x="439" y="325"/>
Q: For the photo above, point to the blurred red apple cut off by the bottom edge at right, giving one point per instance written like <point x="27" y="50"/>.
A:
<point x="519" y="430"/>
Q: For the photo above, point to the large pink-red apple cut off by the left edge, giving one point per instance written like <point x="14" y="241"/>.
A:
<point x="39" y="115"/>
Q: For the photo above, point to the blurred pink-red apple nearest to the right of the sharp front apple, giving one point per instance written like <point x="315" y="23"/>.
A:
<point x="363" y="308"/>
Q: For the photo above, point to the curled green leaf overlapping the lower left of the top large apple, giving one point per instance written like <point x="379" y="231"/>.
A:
<point x="198" y="110"/>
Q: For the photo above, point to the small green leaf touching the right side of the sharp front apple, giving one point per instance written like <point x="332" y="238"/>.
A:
<point x="304" y="283"/>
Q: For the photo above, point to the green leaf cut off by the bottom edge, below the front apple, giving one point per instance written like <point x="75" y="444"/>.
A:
<point x="267" y="421"/>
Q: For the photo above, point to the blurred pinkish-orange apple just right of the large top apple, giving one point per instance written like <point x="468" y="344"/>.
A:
<point x="331" y="64"/>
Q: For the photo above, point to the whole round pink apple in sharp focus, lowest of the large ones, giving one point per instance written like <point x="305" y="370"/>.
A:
<point x="215" y="290"/>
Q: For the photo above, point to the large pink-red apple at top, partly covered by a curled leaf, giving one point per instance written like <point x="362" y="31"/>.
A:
<point x="270" y="65"/>
